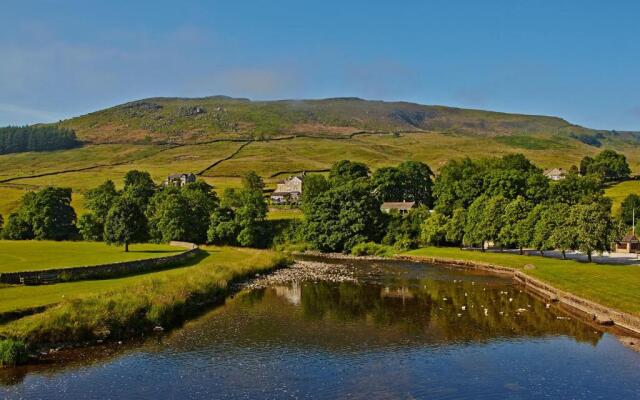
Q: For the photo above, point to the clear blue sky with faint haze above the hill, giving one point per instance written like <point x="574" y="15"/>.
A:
<point x="579" y="60"/>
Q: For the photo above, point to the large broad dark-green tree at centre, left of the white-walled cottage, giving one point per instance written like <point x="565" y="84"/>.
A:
<point x="343" y="216"/>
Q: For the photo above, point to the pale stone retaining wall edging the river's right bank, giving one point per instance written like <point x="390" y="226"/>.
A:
<point x="598" y="313"/>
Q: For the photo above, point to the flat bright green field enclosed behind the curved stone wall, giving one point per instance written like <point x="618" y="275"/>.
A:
<point x="29" y="255"/>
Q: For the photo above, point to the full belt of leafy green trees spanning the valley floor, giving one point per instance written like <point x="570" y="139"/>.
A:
<point x="506" y="201"/>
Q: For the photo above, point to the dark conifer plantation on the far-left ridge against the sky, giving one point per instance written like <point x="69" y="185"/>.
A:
<point x="17" y="139"/>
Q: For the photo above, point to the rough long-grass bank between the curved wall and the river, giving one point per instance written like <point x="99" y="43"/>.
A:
<point x="137" y="304"/>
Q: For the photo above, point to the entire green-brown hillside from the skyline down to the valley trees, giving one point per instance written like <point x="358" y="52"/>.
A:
<point x="221" y="138"/>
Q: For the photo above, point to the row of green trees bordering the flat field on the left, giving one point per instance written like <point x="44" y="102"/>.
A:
<point x="143" y="211"/>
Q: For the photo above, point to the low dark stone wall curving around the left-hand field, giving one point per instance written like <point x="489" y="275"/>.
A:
<point x="102" y="271"/>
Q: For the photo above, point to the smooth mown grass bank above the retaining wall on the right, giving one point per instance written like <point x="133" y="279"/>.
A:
<point x="611" y="285"/>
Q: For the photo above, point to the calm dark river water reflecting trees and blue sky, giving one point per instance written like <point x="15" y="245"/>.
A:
<point x="401" y="332"/>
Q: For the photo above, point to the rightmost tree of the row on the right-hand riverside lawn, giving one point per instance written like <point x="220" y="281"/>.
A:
<point x="594" y="227"/>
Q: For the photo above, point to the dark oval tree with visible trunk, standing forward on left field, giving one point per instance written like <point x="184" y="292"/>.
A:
<point x="125" y="223"/>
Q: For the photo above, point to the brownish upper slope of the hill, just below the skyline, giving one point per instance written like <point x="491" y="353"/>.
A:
<point x="177" y="120"/>
